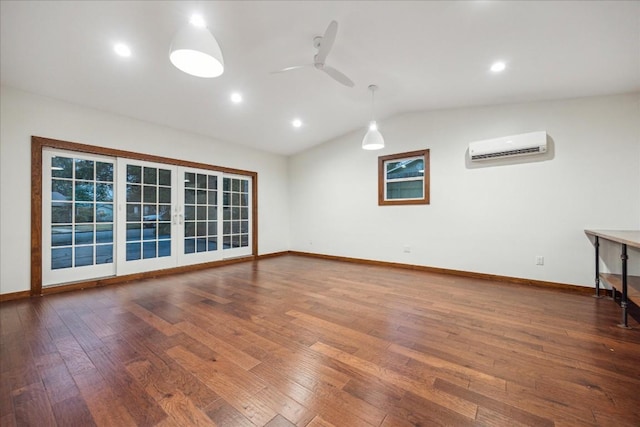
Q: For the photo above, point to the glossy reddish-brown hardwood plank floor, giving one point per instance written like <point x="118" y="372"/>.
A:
<point x="299" y="341"/>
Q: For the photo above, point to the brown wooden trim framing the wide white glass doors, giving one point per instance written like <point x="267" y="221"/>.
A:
<point x="38" y="143"/>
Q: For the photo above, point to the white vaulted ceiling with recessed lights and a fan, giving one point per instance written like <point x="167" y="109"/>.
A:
<point x="423" y="55"/>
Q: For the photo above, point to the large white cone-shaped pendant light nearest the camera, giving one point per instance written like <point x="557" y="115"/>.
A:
<point x="195" y="51"/>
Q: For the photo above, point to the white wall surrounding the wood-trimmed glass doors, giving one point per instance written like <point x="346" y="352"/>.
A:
<point x="23" y="114"/>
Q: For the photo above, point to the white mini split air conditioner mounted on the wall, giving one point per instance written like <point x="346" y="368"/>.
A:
<point x="509" y="146"/>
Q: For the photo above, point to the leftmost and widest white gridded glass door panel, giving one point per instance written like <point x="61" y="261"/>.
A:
<point x="78" y="216"/>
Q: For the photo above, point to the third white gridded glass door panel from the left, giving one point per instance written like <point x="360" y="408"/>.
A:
<point x="199" y="218"/>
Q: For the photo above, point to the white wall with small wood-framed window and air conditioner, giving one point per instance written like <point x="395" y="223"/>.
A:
<point x="494" y="219"/>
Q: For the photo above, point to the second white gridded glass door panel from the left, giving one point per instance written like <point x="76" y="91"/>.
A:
<point x="147" y="238"/>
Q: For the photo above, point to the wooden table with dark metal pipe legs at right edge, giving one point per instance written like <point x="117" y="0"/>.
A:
<point x="629" y="285"/>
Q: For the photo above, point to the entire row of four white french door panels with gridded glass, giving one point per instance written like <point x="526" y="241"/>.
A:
<point x="105" y="216"/>
